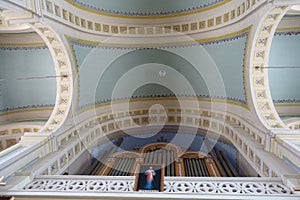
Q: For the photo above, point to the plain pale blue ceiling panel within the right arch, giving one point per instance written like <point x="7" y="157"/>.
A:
<point x="284" y="63"/>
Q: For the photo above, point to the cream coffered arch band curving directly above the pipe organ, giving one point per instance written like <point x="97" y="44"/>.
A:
<point x="235" y="129"/>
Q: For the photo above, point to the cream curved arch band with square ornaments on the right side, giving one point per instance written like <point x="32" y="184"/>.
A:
<point x="258" y="74"/>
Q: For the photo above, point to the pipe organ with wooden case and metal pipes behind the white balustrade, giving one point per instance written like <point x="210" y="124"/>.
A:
<point x="175" y="162"/>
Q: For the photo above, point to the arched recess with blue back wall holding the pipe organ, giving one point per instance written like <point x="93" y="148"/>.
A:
<point x="121" y="155"/>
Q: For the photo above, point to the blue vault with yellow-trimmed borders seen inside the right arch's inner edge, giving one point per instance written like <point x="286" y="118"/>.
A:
<point x="284" y="68"/>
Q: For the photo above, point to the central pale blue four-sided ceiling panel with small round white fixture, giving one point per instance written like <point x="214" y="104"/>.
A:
<point x="100" y="69"/>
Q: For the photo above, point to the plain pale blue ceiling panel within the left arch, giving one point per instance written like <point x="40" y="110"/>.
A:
<point x="24" y="78"/>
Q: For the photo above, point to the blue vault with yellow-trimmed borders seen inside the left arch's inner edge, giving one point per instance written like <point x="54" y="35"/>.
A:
<point x="27" y="84"/>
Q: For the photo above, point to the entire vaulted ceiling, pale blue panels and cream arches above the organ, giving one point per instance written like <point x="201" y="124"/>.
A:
<point x="86" y="54"/>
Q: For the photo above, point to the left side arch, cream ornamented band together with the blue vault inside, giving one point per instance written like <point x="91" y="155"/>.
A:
<point x="37" y="78"/>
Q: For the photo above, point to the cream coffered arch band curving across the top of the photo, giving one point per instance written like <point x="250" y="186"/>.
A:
<point x="130" y="24"/>
